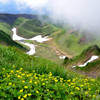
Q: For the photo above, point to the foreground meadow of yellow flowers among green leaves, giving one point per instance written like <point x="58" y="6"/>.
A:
<point x="20" y="84"/>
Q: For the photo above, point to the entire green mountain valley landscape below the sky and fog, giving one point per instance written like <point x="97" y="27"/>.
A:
<point x="46" y="61"/>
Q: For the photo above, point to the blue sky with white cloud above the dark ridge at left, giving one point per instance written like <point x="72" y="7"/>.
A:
<point x="23" y="6"/>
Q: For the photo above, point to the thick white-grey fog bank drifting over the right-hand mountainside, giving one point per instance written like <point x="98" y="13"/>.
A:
<point x="84" y="14"/>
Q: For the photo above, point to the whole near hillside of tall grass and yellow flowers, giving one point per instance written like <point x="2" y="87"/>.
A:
<point x="22" y="78"/>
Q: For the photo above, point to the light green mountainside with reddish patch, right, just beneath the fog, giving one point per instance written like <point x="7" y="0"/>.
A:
<point x="74" y="42"/>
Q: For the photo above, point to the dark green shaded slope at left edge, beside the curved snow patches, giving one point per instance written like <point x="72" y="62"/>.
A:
<point x="5" y="39"/>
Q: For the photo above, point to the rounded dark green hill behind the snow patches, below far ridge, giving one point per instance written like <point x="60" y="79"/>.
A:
<point x="35" y="27"/>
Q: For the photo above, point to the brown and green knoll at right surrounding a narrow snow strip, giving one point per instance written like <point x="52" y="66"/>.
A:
<point x="91" y="69"/>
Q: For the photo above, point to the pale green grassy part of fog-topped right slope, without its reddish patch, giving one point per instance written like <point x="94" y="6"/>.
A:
<point x="69" y="42"/>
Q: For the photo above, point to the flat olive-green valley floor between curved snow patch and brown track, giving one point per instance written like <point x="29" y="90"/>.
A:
<point x="45" y="51"/>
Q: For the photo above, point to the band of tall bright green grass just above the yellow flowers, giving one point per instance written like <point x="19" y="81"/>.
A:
<point x="12" y="56"/>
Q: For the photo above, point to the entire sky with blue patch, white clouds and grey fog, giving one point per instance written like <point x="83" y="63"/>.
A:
<point x="82" y="13"/>
